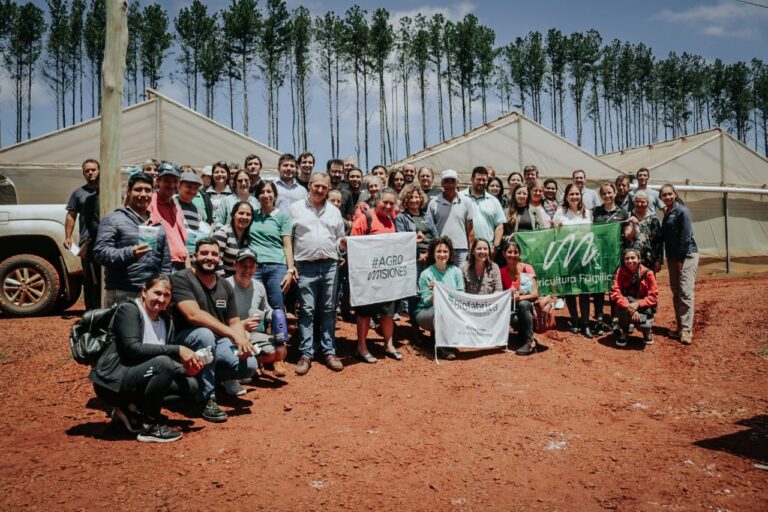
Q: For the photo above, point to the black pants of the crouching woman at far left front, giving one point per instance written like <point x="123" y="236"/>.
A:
<point x="148" y="383"/>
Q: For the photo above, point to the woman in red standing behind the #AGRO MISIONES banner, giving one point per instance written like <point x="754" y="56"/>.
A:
<point x="380" y="222"/>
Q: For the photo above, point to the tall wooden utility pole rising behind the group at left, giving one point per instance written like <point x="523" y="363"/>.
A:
<point x="113" y="73"/>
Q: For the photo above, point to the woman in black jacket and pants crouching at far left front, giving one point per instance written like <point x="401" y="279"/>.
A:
<point x="141" y="367"/>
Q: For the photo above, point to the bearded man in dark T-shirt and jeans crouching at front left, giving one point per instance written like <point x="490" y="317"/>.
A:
<point x="205" y="313"/>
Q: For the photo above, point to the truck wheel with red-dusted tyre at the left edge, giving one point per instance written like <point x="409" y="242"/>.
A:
<point x="30" y="285"/>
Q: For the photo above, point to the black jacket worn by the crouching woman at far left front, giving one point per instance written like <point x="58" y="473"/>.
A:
<point x="127" y="347"/>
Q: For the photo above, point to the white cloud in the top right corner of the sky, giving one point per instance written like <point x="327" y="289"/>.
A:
<point x="723" y="19"/>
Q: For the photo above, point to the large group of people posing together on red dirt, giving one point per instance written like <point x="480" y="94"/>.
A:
<point x="225" y="259"/>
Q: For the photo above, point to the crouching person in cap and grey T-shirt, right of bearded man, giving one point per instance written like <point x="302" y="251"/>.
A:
<point x="254" y="310"/>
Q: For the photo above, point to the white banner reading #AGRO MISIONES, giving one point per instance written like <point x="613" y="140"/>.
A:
<point x="381" y="267"/>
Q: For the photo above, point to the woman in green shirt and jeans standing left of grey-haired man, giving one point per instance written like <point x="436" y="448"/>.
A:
<point x="270" y="239"/>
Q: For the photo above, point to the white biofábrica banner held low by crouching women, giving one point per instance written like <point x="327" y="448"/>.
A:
<point x="472" y="321"/>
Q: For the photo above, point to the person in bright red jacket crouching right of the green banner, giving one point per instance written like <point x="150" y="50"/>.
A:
<point x="634" y="296"/>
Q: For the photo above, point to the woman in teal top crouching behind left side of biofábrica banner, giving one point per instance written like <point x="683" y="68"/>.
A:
<point x="440" y="269"/>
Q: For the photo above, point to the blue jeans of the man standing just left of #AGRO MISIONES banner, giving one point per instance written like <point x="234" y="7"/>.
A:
<point x="317" y="291"/>
